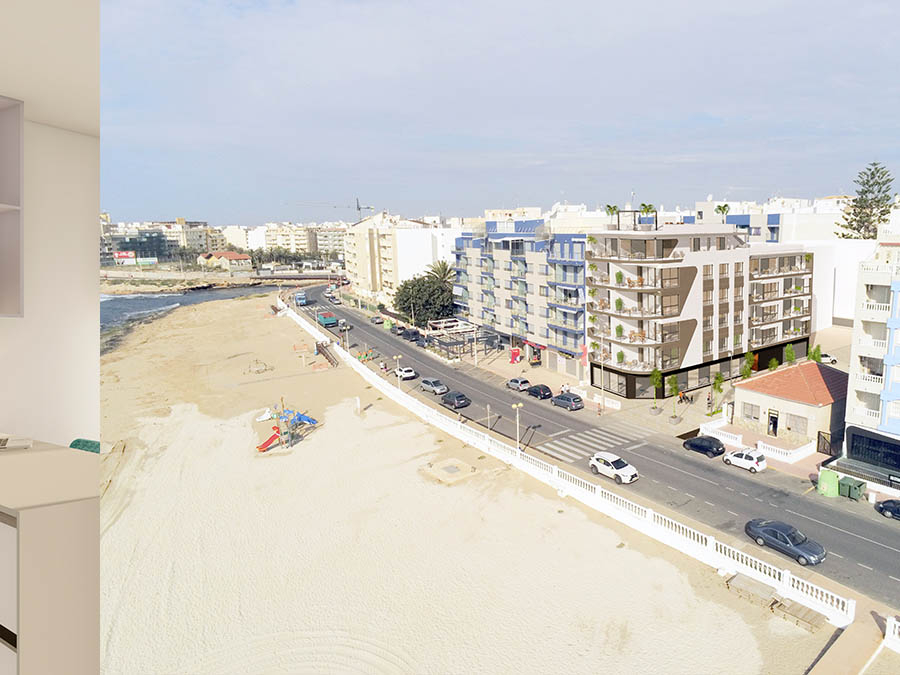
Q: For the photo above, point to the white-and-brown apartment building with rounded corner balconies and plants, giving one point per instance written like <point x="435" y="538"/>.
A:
<point x="689" y="299"/>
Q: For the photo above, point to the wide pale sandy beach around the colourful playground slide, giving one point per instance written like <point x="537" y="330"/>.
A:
<point x="345" y="554"/>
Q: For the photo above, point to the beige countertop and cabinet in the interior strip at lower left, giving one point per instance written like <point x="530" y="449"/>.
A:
<point x="49" y="561"/>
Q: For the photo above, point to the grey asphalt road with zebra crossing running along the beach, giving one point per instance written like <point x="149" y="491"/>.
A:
<point x="863" y="547"/>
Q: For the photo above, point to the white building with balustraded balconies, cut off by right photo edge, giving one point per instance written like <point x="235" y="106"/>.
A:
<point x="871" y="447"/>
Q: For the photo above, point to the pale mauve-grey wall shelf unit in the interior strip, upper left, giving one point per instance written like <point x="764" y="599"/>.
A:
<point x="11" y="226"/>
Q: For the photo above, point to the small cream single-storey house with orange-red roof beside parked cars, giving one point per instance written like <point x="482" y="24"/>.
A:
<point x="794" y="402"/>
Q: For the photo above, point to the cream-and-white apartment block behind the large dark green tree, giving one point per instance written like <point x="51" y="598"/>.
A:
<point x="383" y="250"/>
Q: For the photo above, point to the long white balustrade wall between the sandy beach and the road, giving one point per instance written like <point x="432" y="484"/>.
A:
<point x="699" y="545"/>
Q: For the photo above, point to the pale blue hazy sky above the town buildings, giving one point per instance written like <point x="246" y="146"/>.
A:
<point x="242" y="112"/>
